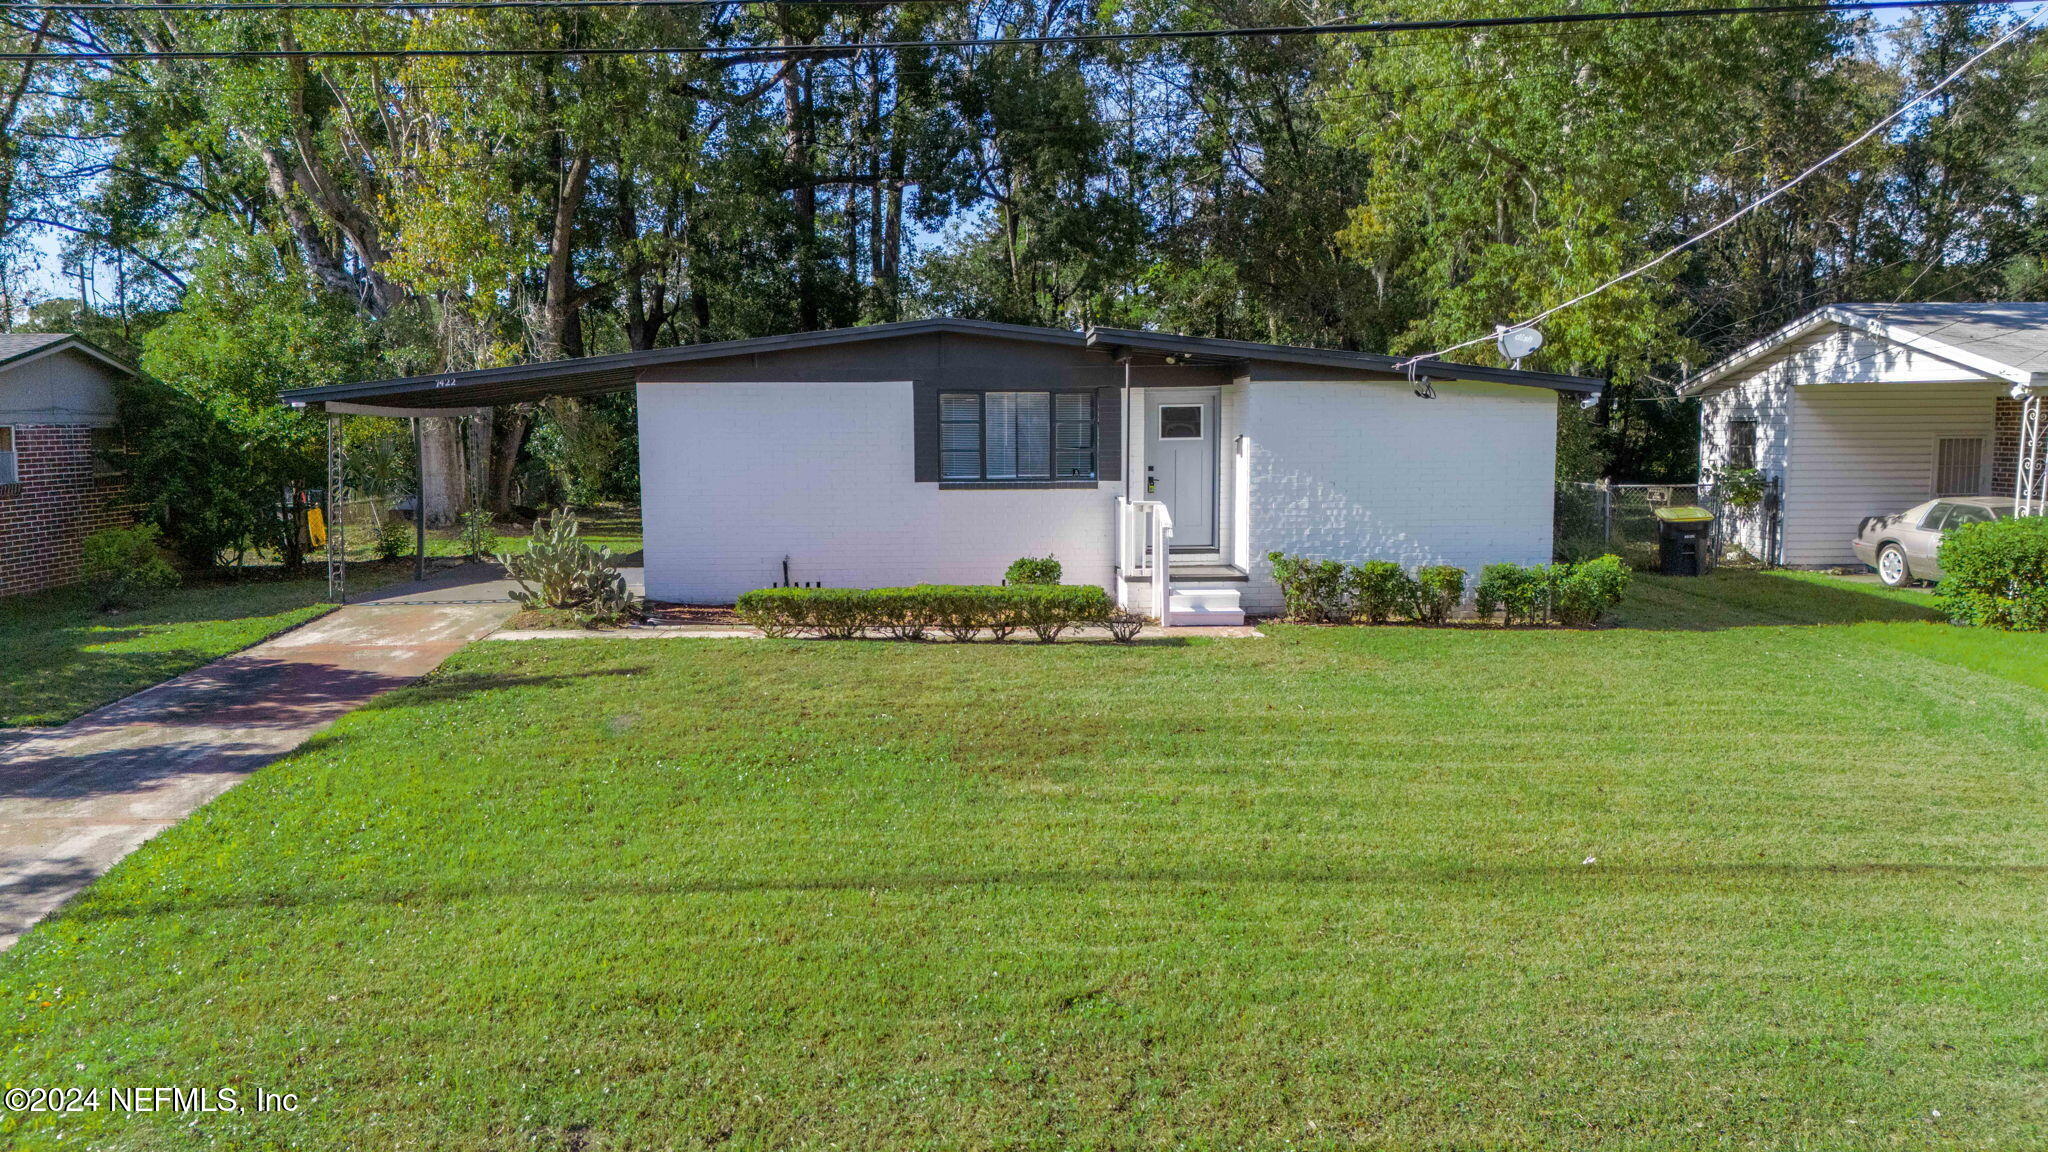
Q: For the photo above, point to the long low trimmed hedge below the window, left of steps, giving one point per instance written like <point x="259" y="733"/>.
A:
<point x="908" y="614"/>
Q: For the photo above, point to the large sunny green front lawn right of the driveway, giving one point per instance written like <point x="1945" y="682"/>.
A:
<point x="1764" y="870"/>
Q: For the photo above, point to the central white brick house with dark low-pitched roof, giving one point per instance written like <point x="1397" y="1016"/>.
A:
<point x="943" y="450"/>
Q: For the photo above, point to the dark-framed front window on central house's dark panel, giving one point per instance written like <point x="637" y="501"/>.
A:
<point x="1017" y="436"/>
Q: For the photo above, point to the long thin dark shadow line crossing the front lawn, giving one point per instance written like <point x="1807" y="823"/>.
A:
<point x="1476" y="876"/>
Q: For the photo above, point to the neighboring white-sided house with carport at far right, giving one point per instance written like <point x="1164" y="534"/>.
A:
<point x="1869" y="409"/>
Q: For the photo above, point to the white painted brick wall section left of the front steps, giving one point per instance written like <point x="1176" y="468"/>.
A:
<point x="736" y="477"/>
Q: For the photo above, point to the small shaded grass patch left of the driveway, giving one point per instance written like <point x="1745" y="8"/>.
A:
<point x="65" y="657"/>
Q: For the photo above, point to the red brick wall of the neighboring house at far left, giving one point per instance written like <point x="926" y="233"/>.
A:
<point x="56" y="505"/>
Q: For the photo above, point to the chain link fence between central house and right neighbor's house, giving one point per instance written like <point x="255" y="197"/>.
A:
<point x="1594" y="520"/>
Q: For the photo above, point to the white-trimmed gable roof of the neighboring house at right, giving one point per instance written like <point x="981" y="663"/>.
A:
<point x="2002" y="341"/>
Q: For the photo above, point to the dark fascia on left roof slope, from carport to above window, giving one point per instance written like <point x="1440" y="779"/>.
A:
<point x="622" y="370"/>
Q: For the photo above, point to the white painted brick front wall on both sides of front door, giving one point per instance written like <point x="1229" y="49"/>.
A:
<point x="736" y="477"/>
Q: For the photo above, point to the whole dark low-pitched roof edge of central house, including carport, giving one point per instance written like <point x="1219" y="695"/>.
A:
<point x="622" y="372"/>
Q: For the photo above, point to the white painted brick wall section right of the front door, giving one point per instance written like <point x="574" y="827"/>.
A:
<point x="1373" y="472"/>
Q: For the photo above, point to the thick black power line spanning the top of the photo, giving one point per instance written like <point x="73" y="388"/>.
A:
<point x="841" y="48"/>
